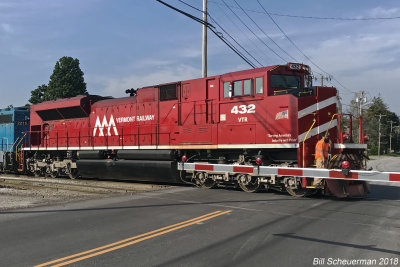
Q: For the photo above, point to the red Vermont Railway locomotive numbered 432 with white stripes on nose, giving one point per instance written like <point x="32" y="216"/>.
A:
<point x="268" y="116"/>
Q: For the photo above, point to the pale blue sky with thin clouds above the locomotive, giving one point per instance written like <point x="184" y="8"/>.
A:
<point x="125" y="44"/>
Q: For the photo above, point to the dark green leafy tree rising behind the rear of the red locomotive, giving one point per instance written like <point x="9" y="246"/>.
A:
<point x="66" y="81"/>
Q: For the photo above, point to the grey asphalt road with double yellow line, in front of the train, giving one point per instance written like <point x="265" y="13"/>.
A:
<point x="237" y="229"/>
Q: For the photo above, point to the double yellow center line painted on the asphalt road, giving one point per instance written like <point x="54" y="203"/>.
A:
<point x="131" y="240"/>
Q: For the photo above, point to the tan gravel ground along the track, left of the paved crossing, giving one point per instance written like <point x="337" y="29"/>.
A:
<point x="24" y="192"/>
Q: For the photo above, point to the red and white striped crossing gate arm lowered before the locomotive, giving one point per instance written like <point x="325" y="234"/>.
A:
<point x="288" y="171"/>
